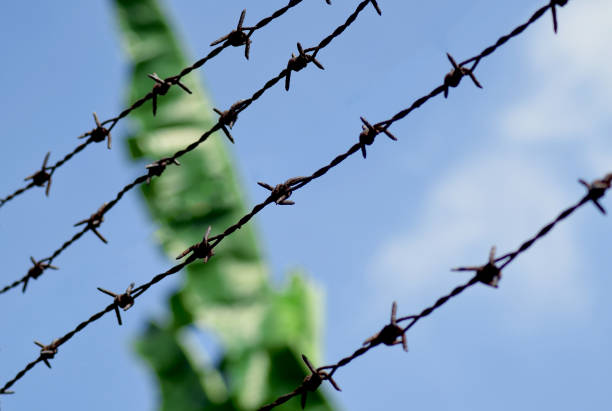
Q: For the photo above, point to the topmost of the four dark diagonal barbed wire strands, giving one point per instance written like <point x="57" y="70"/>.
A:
<point x="100" y="133"/>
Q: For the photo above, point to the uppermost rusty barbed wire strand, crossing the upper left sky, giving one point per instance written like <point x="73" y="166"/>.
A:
<point x="241" y="36"/>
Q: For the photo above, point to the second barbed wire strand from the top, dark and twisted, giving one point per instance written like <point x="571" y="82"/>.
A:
<point x="226" y="120"/>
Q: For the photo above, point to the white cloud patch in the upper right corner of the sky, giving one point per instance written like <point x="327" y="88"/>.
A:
<point x="570" y="84"/>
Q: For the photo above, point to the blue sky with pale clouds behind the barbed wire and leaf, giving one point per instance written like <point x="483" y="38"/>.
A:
<point x="485" y="167"/>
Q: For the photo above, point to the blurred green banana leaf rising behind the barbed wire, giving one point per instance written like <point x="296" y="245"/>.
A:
<point x="262" y="331"/>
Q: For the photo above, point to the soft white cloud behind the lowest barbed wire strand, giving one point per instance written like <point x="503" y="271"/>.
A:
<point x="494" y="200"/>
